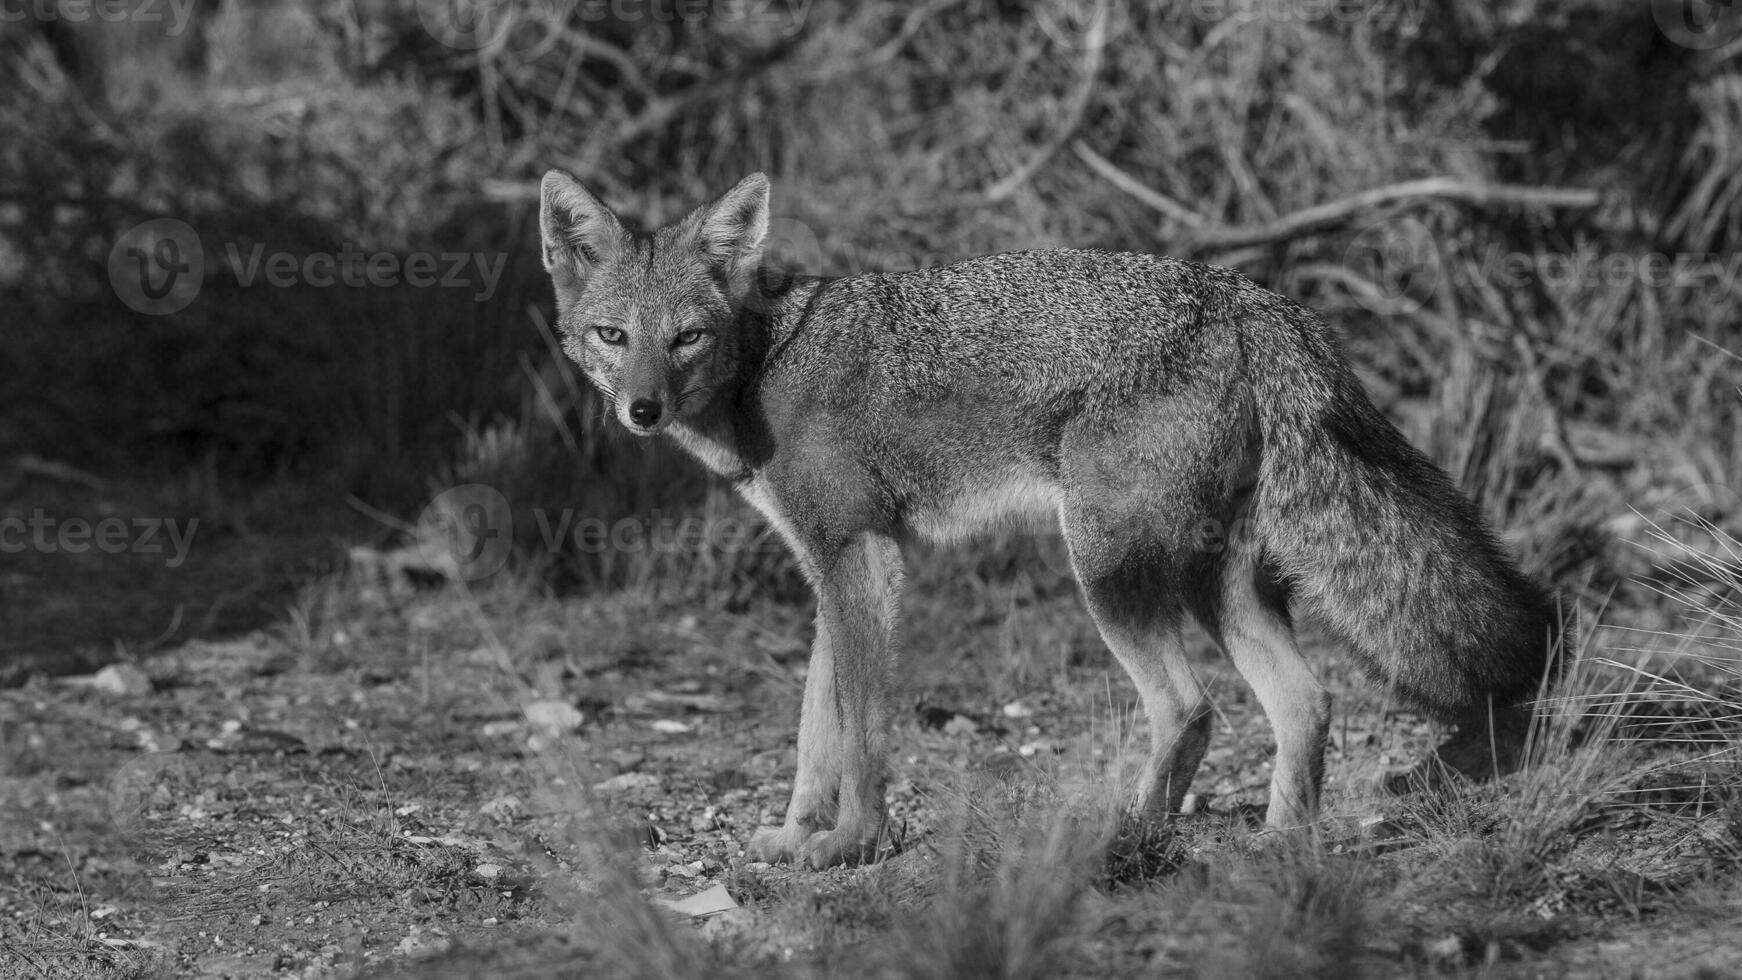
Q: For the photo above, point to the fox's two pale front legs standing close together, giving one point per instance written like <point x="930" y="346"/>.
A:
<point x="844" y="734"/>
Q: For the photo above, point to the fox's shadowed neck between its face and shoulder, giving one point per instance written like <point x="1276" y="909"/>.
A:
<point x="729" y="434"/>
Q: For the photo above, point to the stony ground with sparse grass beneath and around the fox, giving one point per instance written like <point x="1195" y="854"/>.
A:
<point x="496" y="779"/>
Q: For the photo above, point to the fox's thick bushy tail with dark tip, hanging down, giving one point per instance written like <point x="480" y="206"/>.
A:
<point x="1377" y="539"/>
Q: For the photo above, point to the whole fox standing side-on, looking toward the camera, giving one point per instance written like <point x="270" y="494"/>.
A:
<point x="1145" y="405"/>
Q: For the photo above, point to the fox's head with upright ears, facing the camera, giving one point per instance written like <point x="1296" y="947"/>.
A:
<point x="652" y="321"/>
